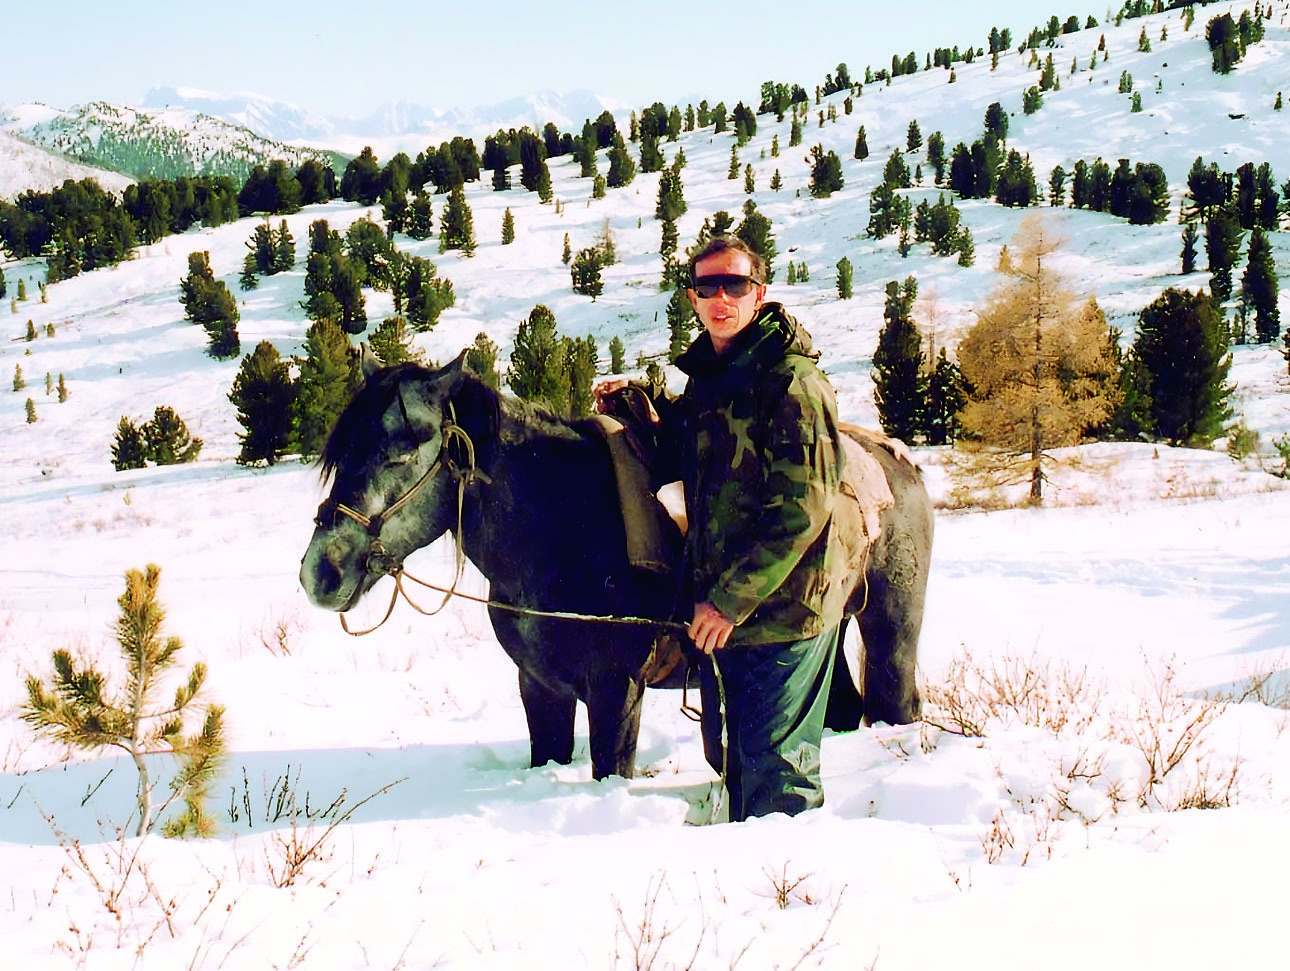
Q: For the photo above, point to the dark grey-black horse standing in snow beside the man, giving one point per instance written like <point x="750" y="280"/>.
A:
<point x="533" y="504"/>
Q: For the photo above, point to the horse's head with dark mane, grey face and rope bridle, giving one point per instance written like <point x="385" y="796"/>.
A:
<point x="395" y="460"/>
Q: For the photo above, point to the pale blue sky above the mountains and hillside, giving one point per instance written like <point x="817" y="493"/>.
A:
<point x="330" y="56"/>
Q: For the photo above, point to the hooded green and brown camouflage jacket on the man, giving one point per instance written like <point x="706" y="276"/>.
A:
<point x="755" y="440"/>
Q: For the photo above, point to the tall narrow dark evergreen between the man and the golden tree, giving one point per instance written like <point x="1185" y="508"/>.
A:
<point x="898" y="375"/>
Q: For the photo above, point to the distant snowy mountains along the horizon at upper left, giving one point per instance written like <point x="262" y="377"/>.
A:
<point x="184" y="132"/>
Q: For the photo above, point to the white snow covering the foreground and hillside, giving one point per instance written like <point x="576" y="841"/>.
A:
<point x="1144" y="607"/>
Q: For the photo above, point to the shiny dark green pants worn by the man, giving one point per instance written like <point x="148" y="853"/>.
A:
<point x="776" y="697"/>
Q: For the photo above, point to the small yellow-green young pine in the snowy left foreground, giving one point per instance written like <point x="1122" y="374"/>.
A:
<point x="79" y="710"/>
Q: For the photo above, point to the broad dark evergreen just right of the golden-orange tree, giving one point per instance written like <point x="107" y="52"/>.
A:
<point x="1182" y="345"/>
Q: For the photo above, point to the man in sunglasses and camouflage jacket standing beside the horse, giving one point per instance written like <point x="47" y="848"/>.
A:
<point x="757" y="446"/>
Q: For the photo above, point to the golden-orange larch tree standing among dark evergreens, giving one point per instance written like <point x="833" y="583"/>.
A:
<point x="1038" y="362"/>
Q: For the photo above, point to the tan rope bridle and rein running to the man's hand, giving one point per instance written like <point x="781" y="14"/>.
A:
<point x="380" y="562"/>
